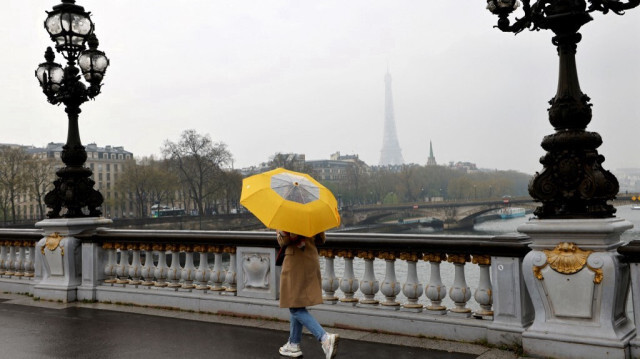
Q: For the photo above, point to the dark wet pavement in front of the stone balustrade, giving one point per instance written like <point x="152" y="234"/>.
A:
<point x="39" y="329"/>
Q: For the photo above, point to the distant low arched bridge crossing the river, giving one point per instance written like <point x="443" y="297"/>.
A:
<point x="454" y="214"/>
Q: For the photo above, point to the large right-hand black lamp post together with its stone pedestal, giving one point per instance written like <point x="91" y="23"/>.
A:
<point x="573" y="273"/>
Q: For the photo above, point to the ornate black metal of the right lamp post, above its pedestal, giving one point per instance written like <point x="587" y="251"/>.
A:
<point x="573" y="183"/>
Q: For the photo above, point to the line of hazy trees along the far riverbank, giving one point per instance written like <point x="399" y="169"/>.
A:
<point x="195" y="174"/>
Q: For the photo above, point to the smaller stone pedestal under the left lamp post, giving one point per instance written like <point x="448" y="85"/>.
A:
<point x="60" y="257"/>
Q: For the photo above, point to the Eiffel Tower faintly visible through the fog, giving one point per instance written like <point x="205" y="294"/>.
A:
<point x="391" y="154"/>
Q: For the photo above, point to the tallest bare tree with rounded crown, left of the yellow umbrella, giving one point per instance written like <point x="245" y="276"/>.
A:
<point x="199" y="162"/>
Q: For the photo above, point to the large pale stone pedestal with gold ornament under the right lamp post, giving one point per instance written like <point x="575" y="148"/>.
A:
<point x="578" y="287"/>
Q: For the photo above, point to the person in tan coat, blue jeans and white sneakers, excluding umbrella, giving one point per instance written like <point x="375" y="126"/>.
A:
<point x="300" y="287"/>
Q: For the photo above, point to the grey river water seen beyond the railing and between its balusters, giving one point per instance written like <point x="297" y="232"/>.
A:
<point x="493" y="227"/>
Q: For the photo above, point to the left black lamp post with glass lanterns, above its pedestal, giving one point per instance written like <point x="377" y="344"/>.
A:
<point x="70" y="27"/>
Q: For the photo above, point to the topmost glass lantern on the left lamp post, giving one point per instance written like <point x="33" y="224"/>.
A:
<point x="69" y="26"/>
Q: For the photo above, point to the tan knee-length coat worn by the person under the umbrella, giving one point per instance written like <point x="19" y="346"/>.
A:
<point x="300" y="281"/>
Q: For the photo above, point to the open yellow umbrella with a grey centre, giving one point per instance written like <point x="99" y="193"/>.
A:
<point x="290" y="201"/>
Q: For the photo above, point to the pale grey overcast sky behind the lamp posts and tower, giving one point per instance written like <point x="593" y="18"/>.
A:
<point x="305" y="76"/>
